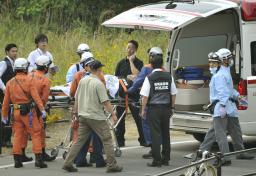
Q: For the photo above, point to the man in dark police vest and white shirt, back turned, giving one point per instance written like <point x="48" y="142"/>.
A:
<point x="158" y="94"/>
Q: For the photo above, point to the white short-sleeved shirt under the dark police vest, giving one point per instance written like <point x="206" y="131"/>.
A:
<point x="145" y="90"/>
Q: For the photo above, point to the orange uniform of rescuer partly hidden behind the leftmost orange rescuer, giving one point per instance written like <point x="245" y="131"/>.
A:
<point x="42" y="84"/>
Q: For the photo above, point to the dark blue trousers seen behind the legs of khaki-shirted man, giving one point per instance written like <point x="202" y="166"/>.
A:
<point x="97" y="154"/>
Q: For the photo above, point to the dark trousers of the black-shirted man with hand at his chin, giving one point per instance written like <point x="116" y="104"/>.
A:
<point x="120" y="130"/>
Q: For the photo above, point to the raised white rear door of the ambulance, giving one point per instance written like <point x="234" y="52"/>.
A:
<point x="167" y="16"/>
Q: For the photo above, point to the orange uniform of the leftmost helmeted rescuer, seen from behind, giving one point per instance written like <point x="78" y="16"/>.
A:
<point x="20" y="90"/>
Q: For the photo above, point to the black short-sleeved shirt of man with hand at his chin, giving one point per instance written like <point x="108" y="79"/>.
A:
<point x="123" y="68"/>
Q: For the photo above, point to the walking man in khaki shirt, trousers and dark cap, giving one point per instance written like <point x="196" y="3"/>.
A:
<point x="90" y="98"/>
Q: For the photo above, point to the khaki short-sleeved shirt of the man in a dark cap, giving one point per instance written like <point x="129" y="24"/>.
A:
<point x="90" y="94"/>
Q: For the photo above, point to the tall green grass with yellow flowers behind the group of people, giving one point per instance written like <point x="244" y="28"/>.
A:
<point x="109" y="45"/>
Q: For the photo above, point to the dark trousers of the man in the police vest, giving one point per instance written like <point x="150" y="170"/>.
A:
<point x="159" y="122"/>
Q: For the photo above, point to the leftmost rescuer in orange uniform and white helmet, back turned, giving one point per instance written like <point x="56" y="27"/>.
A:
<point x="21" y="92"/>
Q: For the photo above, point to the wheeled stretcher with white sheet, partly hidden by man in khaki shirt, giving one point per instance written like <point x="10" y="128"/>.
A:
<point x="118" y="97"/>
